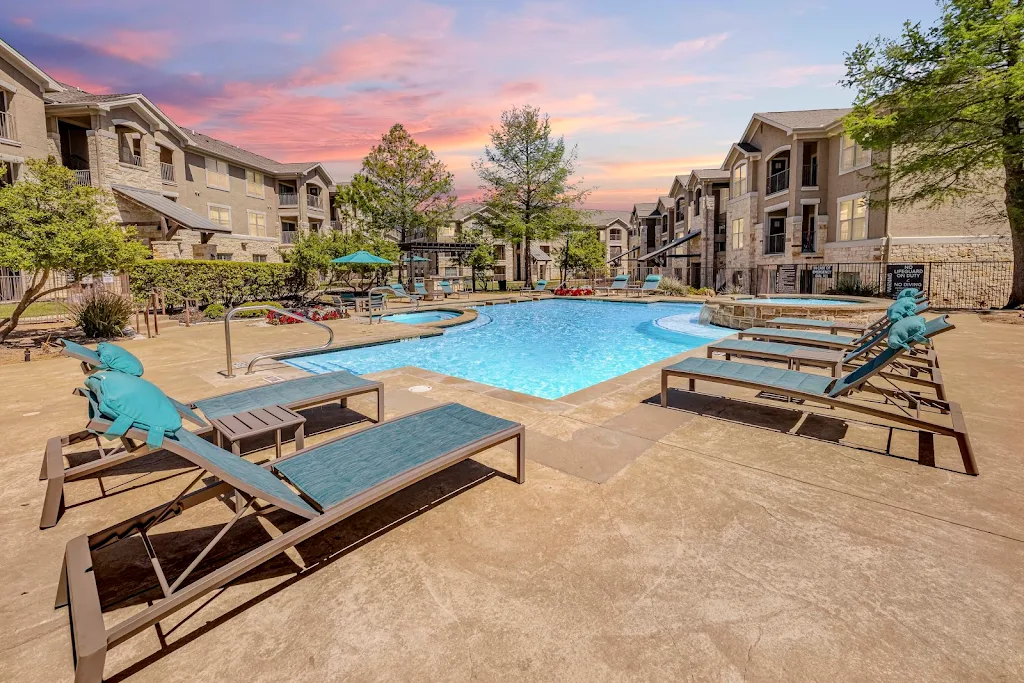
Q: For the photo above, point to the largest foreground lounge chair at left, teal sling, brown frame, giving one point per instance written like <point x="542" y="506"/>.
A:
<point x="320" y="487"/>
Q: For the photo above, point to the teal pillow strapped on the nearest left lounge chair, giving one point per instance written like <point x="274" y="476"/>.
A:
<point x="132" y="402"/>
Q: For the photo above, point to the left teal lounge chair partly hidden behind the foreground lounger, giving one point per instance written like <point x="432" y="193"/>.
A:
<point x="293" y="395"/>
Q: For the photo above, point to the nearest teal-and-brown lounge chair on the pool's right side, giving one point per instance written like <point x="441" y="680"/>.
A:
<point x="837" y="393"/>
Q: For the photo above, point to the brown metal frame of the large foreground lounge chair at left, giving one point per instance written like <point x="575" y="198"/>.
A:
<point x="77" y="587"/>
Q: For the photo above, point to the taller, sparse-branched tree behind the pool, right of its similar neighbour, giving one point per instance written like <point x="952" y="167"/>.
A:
<point x="527" y="178"/>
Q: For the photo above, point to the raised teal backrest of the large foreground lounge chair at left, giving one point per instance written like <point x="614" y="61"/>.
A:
<point x="238" y="473"/>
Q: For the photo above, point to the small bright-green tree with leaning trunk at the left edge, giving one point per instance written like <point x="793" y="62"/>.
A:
<point x="52" y="227"/>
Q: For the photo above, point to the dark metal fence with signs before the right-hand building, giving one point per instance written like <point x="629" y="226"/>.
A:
<point x="961" y="285"/>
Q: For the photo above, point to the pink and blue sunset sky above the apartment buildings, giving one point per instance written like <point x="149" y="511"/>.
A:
<point x="648" y="91"/>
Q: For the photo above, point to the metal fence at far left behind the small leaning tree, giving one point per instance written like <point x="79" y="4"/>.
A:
<point x="57" y="307"/>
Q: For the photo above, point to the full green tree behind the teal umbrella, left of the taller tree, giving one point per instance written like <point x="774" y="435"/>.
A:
<point x="407" y="189"/>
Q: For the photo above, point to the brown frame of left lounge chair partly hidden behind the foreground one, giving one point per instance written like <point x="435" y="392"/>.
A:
<point x="57" y="476"/>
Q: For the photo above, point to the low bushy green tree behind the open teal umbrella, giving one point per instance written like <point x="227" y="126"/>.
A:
<point x="311" y="260"/>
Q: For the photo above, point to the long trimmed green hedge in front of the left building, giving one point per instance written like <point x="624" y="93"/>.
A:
<point x="212" y="282"/>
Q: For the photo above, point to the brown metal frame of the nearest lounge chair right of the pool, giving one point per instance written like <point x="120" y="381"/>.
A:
<point x="928" y="430"/>
